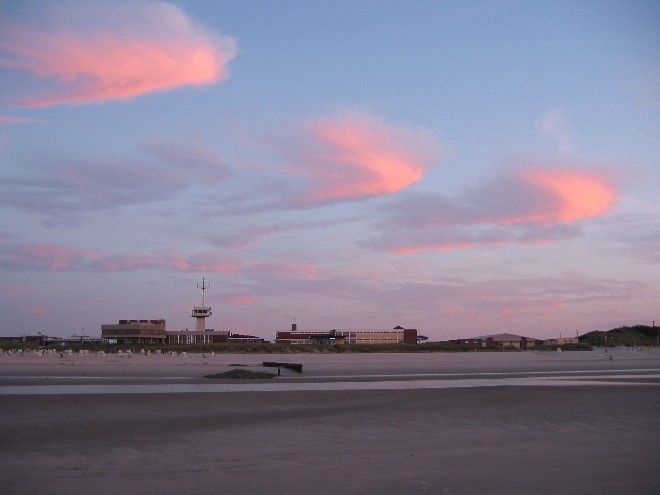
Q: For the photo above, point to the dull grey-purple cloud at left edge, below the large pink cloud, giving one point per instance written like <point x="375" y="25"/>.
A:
<point x="65" y="185"/>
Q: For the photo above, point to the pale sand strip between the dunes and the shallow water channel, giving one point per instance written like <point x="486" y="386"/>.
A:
<point x="193" y="367"/>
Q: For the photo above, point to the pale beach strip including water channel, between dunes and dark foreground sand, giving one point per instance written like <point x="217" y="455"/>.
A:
<point x="191" y="369"/>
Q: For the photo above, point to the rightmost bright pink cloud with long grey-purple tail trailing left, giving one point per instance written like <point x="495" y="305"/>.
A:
<point x="532" y="205"/>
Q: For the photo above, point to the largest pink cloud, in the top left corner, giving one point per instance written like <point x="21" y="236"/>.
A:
<point x="100" y="52"/>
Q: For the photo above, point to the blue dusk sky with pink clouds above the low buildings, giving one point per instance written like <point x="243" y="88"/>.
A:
<point x="460" y="167"/>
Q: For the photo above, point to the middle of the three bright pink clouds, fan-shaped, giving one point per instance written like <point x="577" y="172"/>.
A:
<point x="358" y="156"/>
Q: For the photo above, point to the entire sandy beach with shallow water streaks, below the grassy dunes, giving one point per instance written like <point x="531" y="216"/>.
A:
<point x="350" y="423"/>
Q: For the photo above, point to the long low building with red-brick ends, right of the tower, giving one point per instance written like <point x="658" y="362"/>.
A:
<point x="398" y="335"/>
